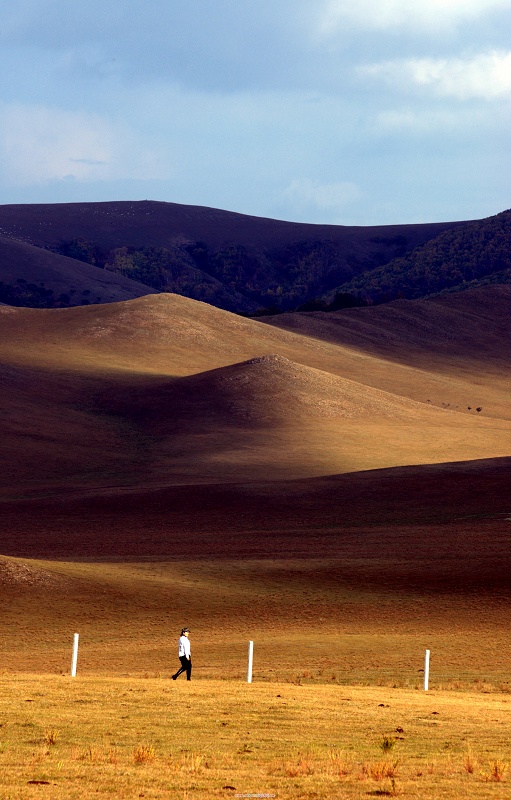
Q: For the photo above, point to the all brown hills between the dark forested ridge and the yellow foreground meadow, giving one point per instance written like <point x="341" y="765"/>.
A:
<point x="165" y="461"/>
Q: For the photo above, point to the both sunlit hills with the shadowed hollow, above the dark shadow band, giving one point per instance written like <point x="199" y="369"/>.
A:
<point x="164" y="390"/>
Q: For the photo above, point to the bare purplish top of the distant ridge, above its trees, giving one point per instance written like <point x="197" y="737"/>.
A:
<point x="155" y="224"/>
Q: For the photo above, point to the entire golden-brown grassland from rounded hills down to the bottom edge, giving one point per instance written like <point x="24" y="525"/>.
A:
<point x="333" y="487"/>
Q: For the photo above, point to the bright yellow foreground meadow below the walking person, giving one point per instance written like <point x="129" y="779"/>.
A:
<point x="149" y="737"/>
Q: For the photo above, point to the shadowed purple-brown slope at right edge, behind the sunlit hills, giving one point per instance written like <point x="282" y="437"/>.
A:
<point x="456" y="335"/>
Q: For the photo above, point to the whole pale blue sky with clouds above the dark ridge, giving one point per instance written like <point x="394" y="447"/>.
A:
<point x="350" y="112"/>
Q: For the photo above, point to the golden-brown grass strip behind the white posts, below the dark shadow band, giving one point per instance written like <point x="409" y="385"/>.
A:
<point x="313" y="621"/>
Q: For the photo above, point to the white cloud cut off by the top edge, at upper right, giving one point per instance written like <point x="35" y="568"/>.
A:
<point x="417" y="15"/>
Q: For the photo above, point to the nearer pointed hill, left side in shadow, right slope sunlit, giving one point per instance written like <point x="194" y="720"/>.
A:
<point x="273" y="418"/>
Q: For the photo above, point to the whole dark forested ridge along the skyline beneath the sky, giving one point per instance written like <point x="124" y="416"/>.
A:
<point x="236" y="262"/>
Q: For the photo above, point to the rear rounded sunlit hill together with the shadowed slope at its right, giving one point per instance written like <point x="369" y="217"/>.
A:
<point x="172" y="335"/>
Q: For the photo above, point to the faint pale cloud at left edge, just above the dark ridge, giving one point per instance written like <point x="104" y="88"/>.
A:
<point x="40" y="144"/>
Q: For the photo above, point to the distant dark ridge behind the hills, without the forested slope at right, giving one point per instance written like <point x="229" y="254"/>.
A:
<point x="234" y="261"/>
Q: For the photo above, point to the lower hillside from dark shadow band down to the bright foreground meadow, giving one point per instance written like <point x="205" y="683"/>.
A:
<point x="381" y="564"/>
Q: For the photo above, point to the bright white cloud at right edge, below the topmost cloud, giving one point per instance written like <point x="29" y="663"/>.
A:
<point x="486" y="75"/>
